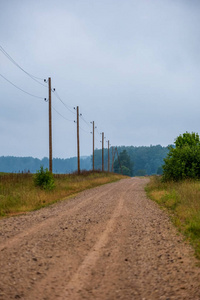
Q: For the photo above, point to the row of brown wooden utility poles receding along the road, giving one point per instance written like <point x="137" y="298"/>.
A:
<point x="78" y="143"/>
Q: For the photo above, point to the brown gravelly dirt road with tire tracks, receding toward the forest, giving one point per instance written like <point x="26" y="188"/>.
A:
<point x="107" y="243"/>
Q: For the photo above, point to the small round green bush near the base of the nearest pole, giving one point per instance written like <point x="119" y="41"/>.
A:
<point x="44" y="179"/>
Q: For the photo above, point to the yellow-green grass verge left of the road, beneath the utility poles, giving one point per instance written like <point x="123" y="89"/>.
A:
<point x="18" y="194"/>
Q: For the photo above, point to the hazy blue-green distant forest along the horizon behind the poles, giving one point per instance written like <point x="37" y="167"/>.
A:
<point x="146" y="161"/>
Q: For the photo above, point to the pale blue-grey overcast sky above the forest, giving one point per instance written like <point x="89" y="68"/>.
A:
<point x="132" y="66"/>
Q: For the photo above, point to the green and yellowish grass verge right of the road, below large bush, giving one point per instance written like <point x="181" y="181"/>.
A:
<point x="182" y="201"/>
